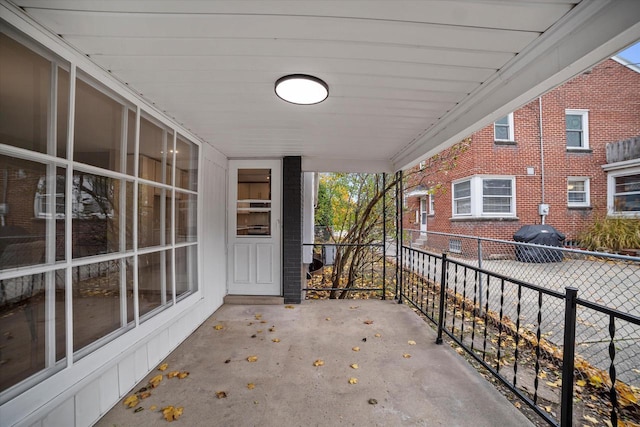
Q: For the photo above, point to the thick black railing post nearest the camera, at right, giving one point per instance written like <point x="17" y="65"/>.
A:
<point x="566" y="402"/>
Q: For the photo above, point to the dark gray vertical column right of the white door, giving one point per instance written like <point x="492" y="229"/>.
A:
<point x="292" y="198"/>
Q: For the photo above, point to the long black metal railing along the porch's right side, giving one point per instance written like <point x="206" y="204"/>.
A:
<point x="511" y="328"/>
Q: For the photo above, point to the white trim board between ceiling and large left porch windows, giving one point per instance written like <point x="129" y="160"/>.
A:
<point x="17" y="18"/>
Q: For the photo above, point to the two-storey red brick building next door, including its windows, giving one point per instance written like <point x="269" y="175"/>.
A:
<point x="511" y="175"/>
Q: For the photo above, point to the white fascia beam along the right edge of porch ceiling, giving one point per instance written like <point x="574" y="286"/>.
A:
<point x="591" y="32"/>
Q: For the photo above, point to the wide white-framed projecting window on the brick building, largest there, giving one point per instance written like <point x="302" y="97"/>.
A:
<point x="484" y="196"/>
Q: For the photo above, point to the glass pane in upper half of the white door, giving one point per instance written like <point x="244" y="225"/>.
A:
<point x="254" y="202"/>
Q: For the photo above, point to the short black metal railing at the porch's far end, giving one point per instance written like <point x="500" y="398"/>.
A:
<point x="341" y="270"/>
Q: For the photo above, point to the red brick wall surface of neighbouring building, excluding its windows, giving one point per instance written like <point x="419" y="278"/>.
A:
<point x="611" y="93"/>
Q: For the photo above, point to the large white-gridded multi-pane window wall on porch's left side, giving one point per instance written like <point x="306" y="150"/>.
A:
<point x="104" y="224"/>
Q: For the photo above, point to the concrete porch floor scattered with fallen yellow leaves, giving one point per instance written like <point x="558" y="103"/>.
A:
<point x="434" y="386"/>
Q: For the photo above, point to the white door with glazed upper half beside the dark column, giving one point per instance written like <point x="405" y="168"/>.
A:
<point x="254" y="227"/>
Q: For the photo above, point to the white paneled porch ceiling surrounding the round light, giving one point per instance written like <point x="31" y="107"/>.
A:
<point x="406" y="78"/>
